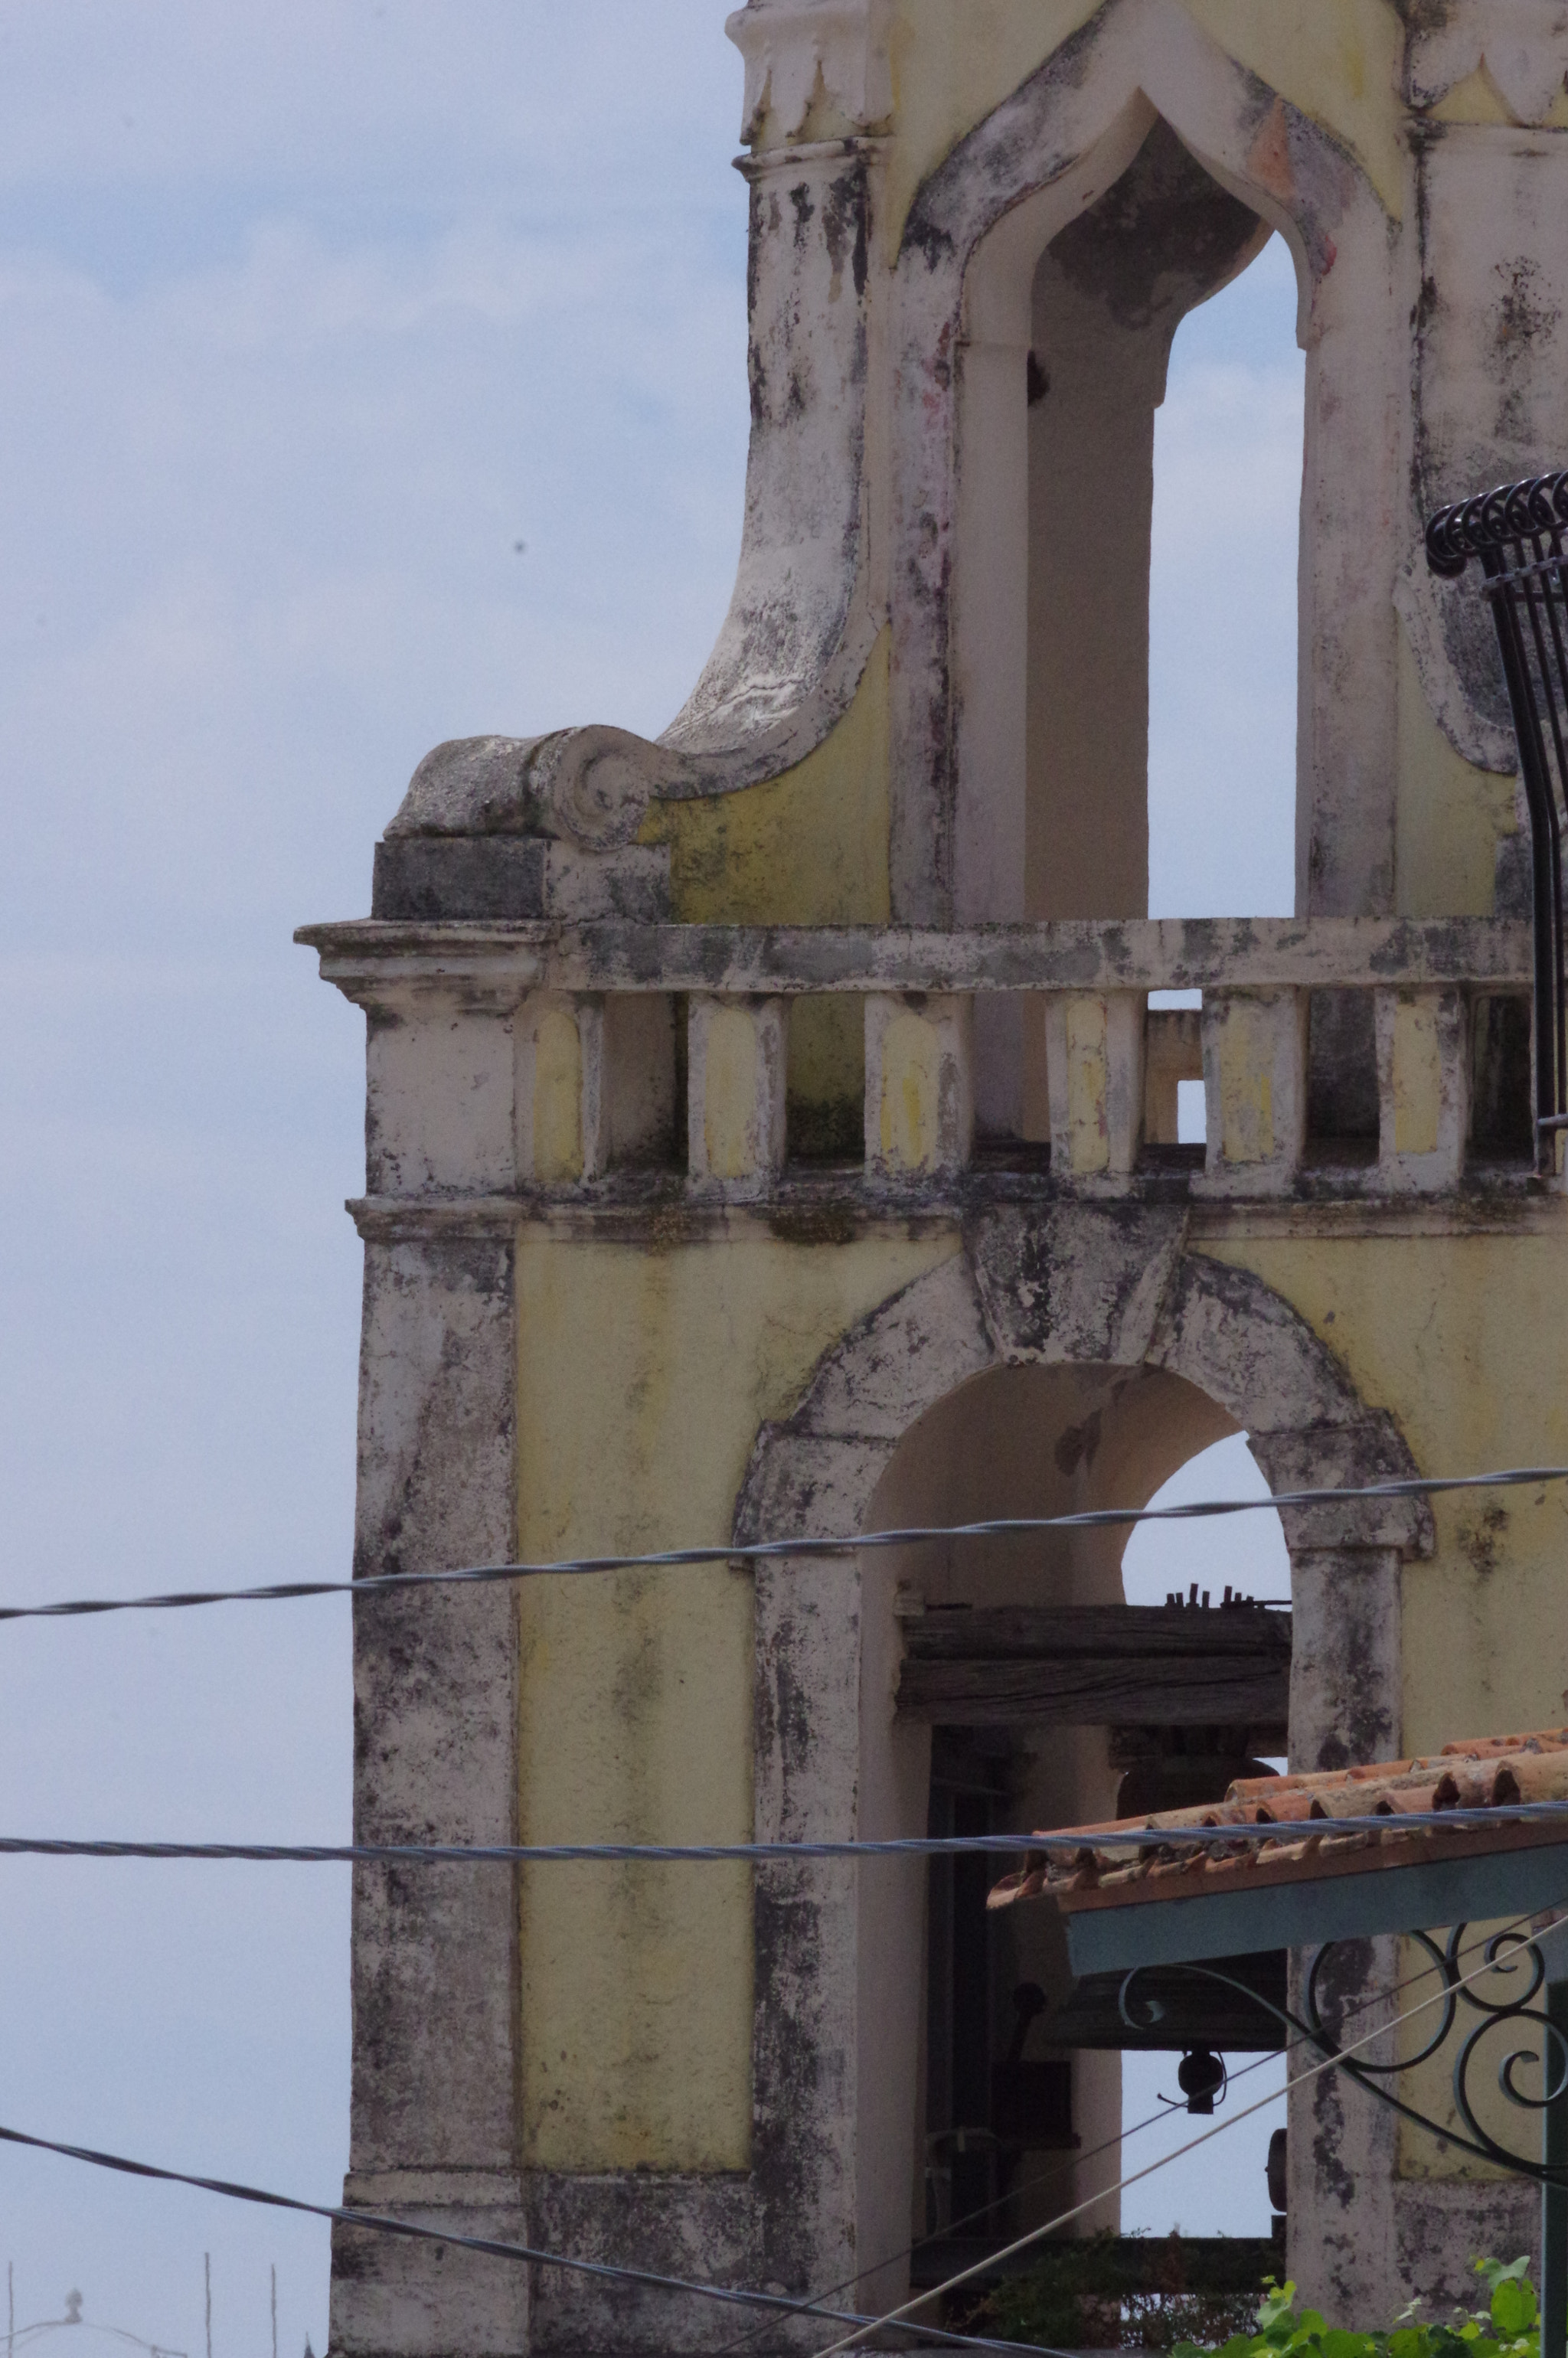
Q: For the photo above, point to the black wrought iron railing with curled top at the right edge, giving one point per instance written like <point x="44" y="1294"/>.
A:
<point x="1517" y="532"/>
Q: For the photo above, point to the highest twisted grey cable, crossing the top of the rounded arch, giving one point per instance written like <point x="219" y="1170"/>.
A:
<point x="782" y="1550"/>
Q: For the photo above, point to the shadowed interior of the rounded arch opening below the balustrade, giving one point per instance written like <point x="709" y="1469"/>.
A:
<point x="954" y="2069"/>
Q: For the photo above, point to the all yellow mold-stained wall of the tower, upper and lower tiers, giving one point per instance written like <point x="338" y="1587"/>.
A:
<point x="650" y="1364"/>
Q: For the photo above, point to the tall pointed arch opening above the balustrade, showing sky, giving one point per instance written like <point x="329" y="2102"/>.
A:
<point x="1067" y="348"/>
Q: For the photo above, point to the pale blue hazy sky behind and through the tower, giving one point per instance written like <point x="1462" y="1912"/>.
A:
<point x="369" y="374"/>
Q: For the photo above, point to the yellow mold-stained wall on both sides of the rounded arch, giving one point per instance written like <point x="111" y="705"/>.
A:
<point x="645" y="1374"/>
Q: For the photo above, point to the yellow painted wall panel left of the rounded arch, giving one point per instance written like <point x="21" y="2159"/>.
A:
<point x="645" y="1371"/>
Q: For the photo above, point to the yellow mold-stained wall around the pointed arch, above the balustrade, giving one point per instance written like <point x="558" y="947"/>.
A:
<point x="810" y="848"/>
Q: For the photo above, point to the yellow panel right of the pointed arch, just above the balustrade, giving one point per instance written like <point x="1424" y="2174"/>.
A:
<point x="1447" y="817"/>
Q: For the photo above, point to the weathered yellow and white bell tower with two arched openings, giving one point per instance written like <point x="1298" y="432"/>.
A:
<point x="770" y="1135"/>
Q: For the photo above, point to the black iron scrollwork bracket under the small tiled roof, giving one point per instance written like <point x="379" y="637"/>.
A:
<point x="1501" y="2017"/>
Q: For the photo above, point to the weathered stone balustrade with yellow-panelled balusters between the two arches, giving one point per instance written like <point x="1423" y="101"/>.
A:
<point x="546" y="1058"/>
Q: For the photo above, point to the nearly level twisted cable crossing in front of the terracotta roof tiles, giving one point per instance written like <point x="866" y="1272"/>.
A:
<point x="527" y="1855"/>
